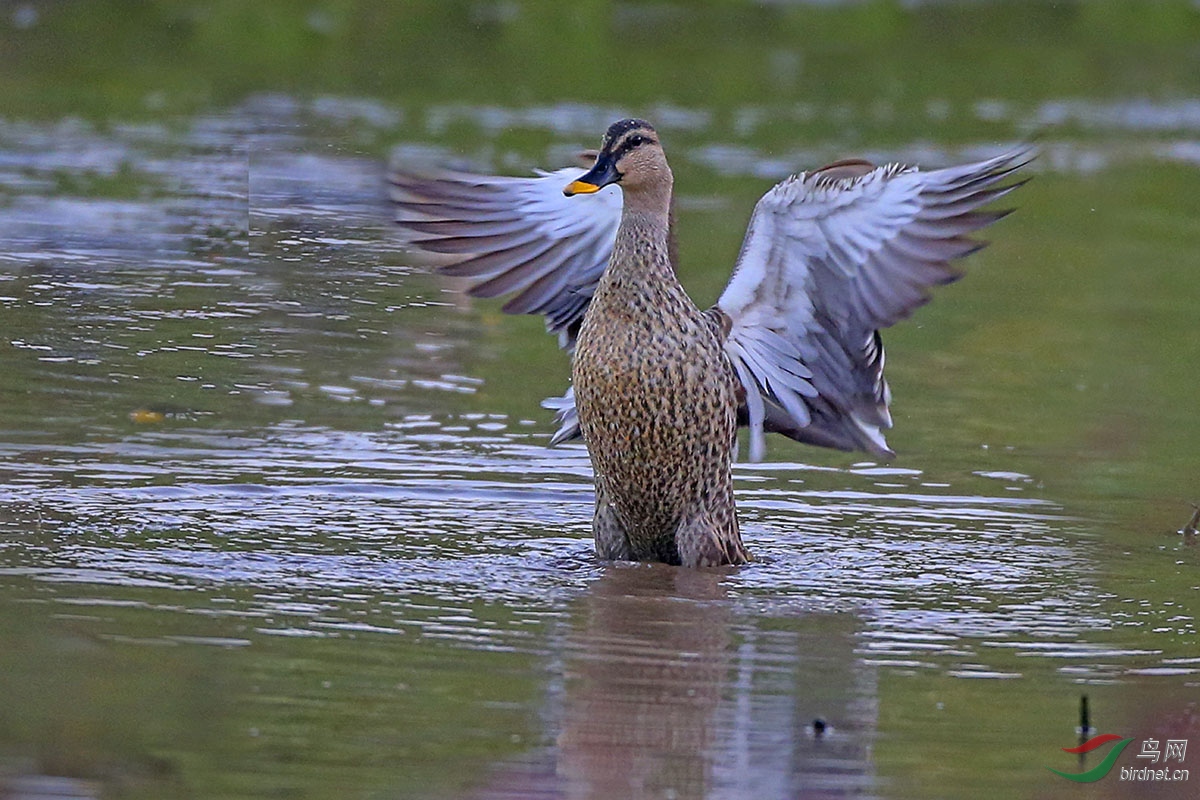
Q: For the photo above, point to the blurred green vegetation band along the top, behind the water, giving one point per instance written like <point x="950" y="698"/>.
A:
<point x="113" y="59"/>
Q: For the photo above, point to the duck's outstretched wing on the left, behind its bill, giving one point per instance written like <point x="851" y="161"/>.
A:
<point x="514" y="237"/>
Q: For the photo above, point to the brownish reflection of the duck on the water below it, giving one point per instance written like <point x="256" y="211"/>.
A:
<point x="669" y="691"/>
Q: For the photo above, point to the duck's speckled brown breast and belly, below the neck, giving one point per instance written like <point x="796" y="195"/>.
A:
<point x="657" y="405"/>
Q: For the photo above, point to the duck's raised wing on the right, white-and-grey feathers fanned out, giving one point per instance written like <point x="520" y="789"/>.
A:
<point x="830" y="258"/>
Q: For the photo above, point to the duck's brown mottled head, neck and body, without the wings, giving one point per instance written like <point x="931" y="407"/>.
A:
<point x="656" y="393"/>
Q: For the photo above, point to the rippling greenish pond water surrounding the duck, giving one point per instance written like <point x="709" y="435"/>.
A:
<point x="277" y="513"/>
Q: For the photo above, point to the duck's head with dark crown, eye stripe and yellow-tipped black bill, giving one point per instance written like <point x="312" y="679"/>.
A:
<point x="631" y="155"/>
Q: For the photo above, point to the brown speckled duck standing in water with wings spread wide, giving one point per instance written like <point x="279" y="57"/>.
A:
<point x="661" y="388"/>
